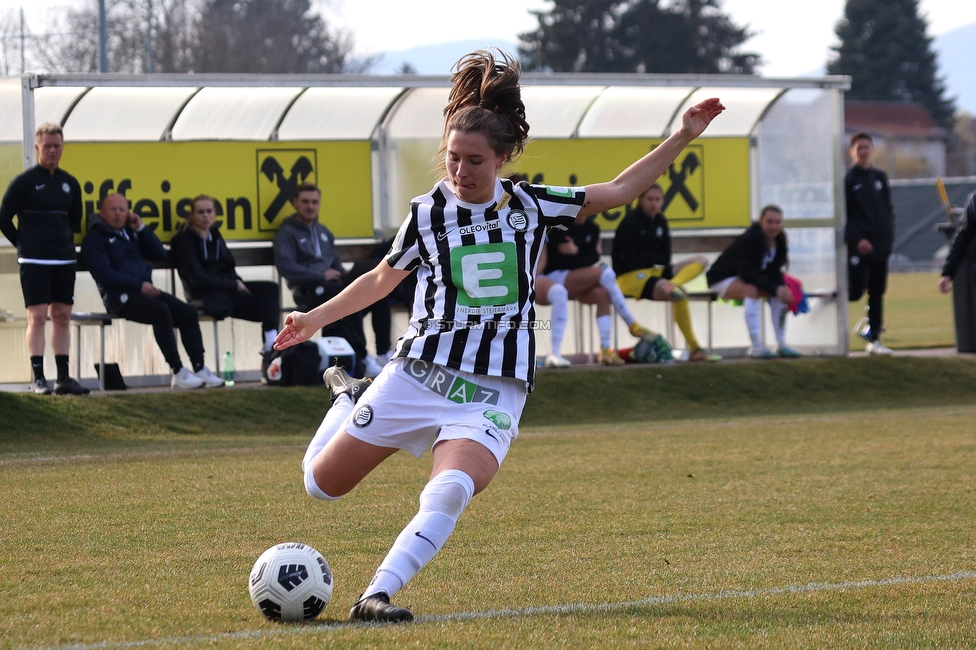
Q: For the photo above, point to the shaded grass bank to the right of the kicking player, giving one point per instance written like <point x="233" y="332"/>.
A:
<point x="655" y="392"/>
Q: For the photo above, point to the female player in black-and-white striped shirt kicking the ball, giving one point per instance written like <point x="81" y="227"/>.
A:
<point x="462" y="370"/>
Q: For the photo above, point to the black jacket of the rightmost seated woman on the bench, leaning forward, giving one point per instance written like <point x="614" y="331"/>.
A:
<point x="744" y="258"/>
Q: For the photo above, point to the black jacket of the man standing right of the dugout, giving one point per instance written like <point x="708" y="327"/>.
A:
<point x="870" y="213"/>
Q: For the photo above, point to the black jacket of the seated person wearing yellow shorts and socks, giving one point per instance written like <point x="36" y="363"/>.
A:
<point x="642" y="242"/>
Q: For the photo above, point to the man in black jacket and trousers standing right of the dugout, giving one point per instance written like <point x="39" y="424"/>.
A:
<point x="870" y="234"/>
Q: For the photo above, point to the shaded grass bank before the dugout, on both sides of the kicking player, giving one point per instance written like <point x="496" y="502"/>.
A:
<point x="637" y="394"/>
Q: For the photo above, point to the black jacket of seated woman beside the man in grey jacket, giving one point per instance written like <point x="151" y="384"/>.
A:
<point x="207" y="269"/>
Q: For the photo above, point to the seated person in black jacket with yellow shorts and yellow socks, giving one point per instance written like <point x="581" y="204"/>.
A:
<point x="642" y="262"/>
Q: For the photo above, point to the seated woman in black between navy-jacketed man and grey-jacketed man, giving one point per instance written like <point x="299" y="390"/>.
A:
<point x="211" y="283"/>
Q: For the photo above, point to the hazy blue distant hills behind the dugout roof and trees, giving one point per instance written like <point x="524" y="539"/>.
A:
<point x="956" y="51"/>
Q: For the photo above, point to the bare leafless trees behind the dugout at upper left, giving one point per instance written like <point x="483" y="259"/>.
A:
<point x="245" y="36"/>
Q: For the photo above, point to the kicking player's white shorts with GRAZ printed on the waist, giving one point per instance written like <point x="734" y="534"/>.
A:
<point x="413" y="405"/>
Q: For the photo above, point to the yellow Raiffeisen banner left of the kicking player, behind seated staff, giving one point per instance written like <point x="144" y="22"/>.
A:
<point x="252" y="182"/>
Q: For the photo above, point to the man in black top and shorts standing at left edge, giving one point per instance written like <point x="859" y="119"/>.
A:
<point x="47" y="202"/>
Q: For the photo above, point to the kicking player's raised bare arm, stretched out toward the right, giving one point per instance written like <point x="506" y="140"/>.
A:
<point x="628" y="185"/>
